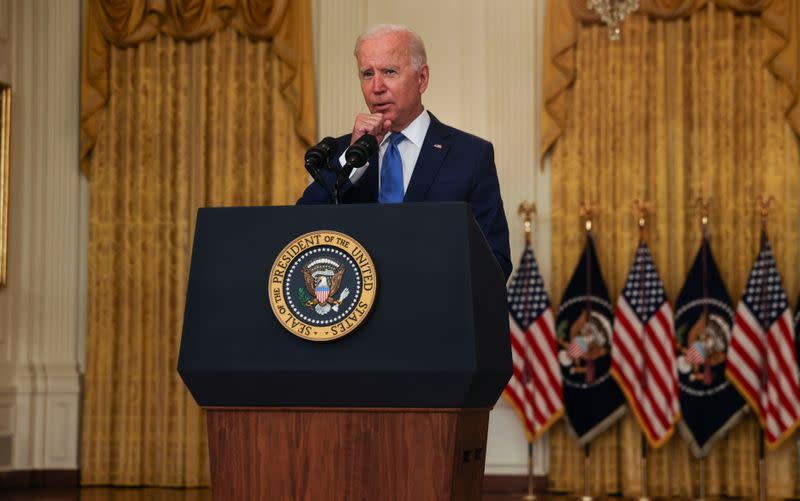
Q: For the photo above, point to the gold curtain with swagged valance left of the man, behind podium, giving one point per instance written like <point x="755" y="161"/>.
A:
<point x="186" y="104"/>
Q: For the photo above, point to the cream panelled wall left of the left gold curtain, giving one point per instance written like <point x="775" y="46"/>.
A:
<point x="41" y="308"/>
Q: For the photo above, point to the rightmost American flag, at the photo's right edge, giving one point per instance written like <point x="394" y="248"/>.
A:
<point x="762" y="363"/>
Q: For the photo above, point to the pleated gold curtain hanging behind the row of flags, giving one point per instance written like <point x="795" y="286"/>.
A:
<point x="681" y="107"/>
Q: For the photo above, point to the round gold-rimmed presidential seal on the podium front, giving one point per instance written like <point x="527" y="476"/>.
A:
<point x="322" y="285"/>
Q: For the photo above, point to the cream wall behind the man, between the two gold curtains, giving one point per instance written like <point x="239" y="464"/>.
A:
<point x="483" y="57"/>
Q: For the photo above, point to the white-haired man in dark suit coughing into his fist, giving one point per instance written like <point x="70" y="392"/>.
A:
<point x="420" y="159"/>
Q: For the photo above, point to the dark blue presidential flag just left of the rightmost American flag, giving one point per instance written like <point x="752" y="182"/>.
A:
<point x="710" y="405"/>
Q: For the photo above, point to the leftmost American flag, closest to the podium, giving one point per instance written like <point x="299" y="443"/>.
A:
<point x="535" y="385"/>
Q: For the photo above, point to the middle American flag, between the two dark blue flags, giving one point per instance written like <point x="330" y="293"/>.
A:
<point x="642" y="351"/>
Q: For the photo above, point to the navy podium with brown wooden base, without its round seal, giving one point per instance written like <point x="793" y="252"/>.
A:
<point x="398" y="409"/>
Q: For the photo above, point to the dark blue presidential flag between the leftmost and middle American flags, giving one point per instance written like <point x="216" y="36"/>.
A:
<point x="592" y="399"/>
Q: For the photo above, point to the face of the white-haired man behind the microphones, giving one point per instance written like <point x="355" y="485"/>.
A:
<point x="389" y="83"/>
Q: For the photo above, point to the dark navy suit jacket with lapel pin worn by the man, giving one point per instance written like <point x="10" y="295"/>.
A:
<point x="452" y="166"/>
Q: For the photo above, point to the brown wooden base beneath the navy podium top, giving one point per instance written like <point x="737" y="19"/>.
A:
<point x="353" y="454"/>
